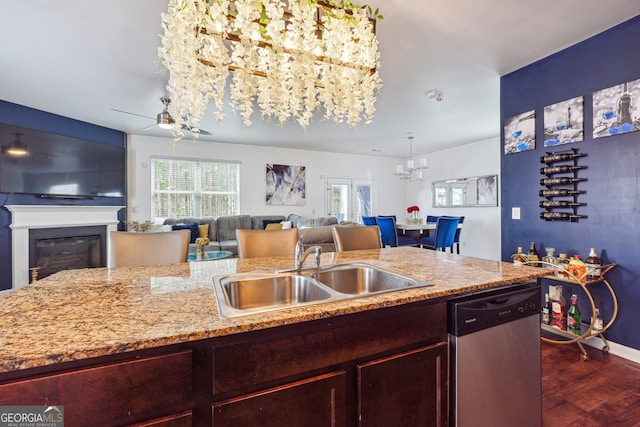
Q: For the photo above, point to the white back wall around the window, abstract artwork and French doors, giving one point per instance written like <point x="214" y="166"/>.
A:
<point x="388" y="197"/>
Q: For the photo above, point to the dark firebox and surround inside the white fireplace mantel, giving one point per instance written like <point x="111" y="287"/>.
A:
<point x="66" y="248"/>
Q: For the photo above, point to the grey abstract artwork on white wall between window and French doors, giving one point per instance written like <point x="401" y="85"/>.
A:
<point x="286" y="185"/>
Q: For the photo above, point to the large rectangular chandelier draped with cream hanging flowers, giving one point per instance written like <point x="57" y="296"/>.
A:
<point x="289" y="58"/>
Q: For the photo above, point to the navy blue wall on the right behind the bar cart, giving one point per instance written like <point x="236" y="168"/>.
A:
<point x="613" y="171"/>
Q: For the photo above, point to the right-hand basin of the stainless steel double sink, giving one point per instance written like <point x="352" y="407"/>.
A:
<point x="358" y="279"/>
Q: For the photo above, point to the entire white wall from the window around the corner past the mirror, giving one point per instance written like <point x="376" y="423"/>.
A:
<point x="481" y="235"/>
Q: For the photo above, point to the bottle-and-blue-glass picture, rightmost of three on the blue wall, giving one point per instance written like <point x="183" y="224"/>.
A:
<point x="614" y="111"/>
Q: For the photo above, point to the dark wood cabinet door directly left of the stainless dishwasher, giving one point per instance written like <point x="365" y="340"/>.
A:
<point x="406" y="389"/>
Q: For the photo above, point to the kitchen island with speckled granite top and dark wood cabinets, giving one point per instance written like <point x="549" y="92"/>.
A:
<point x="146" y="344"/>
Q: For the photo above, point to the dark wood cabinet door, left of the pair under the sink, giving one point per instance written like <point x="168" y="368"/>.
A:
<point x="317" y="401"/>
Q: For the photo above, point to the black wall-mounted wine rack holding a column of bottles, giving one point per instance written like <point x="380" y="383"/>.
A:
<point x="561" y="185"/>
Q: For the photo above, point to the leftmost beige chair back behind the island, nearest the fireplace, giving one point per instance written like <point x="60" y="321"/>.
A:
<point x="129" y="249"/>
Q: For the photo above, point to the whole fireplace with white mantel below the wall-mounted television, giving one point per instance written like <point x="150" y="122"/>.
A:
<point x="37" y="219"/>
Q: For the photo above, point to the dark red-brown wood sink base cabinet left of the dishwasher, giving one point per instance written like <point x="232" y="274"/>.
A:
<point x="378" y="368"/>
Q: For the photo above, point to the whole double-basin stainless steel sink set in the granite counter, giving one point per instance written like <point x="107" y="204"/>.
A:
<point x="249" y="293"/>
